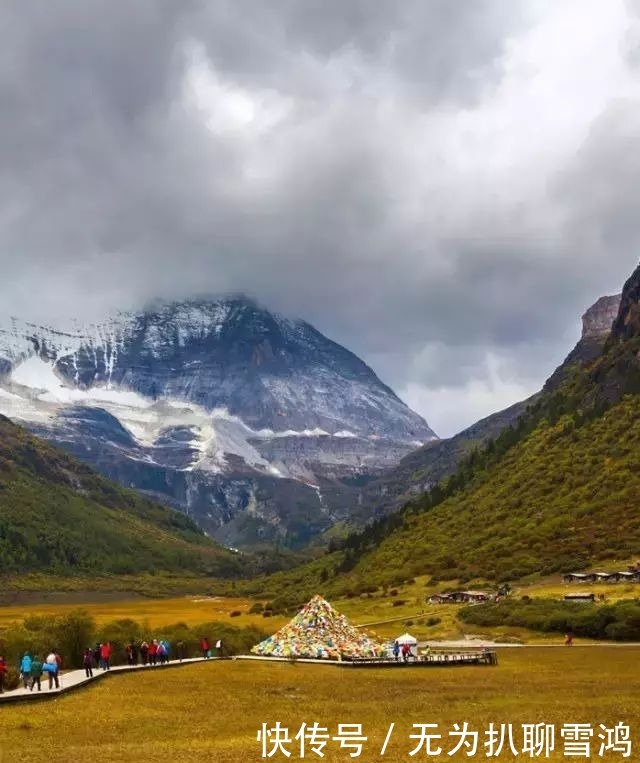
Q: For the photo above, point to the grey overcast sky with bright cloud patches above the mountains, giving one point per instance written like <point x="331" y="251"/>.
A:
<point x="441" y="186"/>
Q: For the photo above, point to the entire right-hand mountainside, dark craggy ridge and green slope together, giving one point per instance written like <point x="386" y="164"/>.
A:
<point x="557" y="490"/>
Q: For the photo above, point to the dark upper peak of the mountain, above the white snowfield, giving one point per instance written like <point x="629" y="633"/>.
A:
<point x="272" y="372"/>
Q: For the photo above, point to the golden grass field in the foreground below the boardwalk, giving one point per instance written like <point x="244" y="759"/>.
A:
<point x="212" y="712"/>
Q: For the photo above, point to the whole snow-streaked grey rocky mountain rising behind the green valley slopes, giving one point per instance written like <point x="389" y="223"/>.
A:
<point x="257" y="426"/>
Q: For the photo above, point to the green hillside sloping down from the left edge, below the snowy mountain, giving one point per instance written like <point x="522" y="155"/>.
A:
<point x="56" y="515"/>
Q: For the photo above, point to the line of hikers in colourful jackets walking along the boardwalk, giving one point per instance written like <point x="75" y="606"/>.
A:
<point x="154" y="652"/>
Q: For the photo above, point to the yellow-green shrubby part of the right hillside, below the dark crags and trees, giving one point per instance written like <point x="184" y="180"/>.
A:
<point x="563" y="497"/>
